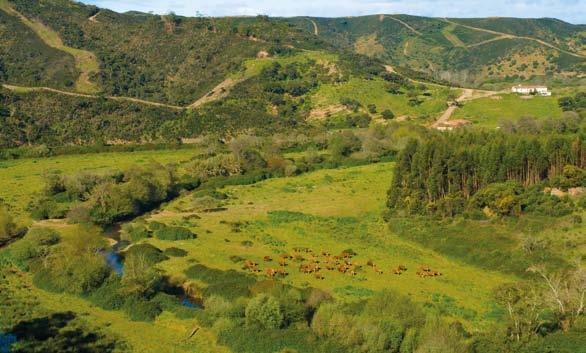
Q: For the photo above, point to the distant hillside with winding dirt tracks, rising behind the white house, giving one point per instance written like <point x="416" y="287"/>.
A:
<point x="469" y="52"/>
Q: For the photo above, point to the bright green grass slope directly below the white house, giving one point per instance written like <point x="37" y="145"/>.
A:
<point x="489" y="112"/>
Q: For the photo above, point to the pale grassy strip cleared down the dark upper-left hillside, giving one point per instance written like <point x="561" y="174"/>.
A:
<point x="85" y="61"/>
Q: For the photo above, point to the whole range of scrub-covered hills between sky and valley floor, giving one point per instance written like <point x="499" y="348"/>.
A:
<point x="74" y="73"/>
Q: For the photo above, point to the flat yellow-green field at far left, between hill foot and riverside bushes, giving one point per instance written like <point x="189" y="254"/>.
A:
<point x="21" y="179"/>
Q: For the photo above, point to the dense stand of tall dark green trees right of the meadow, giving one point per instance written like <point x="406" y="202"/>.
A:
<point x="445" y="173"/>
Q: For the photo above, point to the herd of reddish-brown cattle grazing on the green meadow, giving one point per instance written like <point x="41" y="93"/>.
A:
<point x="317" y="263"/>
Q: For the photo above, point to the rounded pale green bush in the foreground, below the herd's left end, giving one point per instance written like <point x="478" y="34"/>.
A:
<point x="264" y="311"/>
